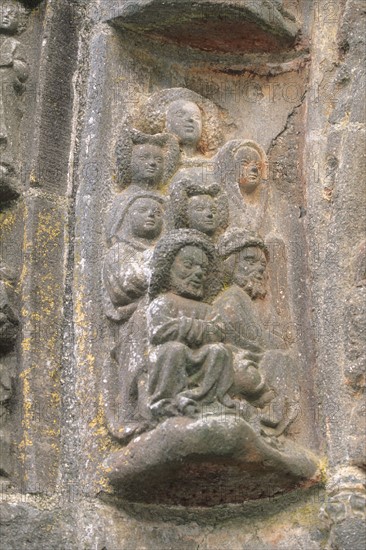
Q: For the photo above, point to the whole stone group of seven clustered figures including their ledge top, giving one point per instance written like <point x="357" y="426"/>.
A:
<point x="184" y="283"/>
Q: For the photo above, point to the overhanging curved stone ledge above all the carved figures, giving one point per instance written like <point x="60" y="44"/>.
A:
<point x="220" y="26"/>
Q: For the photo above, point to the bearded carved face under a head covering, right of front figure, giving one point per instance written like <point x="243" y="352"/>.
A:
<point x="249" y="271"/>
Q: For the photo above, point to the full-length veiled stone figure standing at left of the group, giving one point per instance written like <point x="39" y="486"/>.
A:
<point x="135" y="222"/>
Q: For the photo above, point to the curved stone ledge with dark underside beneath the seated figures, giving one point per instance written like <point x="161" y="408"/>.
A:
<point x="207" y="461"/>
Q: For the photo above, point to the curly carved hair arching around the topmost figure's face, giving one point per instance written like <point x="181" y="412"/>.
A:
<point x="153" y="115"/>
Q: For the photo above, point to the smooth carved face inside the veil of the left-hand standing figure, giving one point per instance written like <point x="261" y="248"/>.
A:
<point x="145" y="217"/>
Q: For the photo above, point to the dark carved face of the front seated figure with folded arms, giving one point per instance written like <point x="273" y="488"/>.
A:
<point x="189" y="272"/>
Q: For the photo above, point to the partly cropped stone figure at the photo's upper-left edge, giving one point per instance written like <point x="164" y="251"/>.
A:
<point x="13" y="75"/>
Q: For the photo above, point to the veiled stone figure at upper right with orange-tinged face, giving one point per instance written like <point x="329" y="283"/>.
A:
<point x="242" y="168"/>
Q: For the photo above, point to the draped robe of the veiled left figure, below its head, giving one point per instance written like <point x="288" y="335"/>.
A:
<point x="126" y="272"/>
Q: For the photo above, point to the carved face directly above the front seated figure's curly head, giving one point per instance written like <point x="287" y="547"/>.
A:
<point x="202" y="214"/>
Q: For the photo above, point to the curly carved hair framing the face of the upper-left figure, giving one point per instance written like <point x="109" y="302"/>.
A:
<point x="130" y="137"/>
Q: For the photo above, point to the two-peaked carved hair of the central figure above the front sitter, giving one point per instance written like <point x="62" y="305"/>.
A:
<point x="187" y="186"/>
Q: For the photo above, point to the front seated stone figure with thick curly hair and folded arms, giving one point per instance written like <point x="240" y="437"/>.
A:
<point x="189" y="363"/>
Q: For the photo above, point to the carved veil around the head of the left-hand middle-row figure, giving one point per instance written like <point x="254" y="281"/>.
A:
<point x="119" y="210"/>
